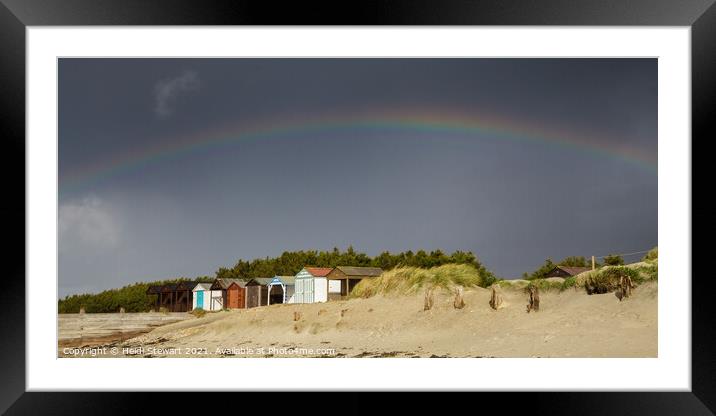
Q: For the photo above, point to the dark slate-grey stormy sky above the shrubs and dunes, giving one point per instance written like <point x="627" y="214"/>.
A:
<point x="512" y="202"/>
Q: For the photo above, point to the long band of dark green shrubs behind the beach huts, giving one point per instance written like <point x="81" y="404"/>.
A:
<point x="134" y="298"/>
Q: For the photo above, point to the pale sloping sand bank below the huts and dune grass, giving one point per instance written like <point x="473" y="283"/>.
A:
<point x="568" y="324"/>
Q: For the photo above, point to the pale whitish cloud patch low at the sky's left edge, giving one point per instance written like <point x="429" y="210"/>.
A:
<point x="87" y="224"/>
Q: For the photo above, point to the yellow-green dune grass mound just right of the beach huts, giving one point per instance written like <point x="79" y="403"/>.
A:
<point x="409" y="280"/>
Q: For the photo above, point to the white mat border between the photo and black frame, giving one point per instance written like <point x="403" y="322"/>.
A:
<point x="670" y="371"/>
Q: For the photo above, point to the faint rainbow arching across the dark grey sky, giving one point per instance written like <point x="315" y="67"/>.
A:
<point x="445" y="123"/>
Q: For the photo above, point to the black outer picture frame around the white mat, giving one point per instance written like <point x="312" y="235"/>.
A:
<point x="16" y="15"/>
